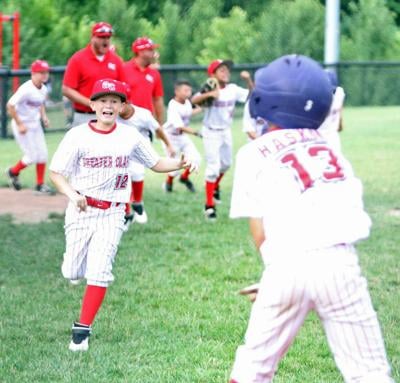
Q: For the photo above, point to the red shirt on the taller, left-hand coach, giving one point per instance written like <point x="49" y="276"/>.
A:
<point x="84" y="69"/>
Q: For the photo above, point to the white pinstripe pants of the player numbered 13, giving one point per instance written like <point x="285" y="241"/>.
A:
<point x="328" y="281"/>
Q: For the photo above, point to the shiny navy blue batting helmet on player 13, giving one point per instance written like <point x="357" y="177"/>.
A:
<point x="292" y="92"/>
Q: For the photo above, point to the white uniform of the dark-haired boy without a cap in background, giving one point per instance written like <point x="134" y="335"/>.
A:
<point x="178" y="116"/>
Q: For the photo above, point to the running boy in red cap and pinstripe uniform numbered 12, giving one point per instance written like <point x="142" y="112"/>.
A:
<point x="91" y="167"/>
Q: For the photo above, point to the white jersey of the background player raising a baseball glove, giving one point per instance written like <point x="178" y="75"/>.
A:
<point x="220" y="114"/>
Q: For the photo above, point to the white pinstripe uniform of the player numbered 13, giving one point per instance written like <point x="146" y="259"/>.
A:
<point x="312" y="211"/>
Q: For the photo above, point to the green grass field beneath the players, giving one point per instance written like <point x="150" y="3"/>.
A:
<point x="173" y="313"/>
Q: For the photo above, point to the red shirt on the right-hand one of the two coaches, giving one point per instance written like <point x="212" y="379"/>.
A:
<point x="144" y="84"/>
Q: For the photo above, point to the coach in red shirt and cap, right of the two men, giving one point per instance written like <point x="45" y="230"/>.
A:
<point x="145" y="81"/>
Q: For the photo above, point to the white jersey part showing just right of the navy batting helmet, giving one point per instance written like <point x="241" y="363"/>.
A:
<point x="330" y="127"/>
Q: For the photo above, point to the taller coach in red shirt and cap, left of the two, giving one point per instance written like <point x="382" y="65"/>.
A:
<point x="94" y="62"/>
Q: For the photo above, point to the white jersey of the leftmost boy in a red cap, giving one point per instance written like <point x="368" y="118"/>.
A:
<point x="27" y="101"/>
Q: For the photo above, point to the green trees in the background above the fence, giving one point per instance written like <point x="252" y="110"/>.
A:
<point x="193" y="31"/>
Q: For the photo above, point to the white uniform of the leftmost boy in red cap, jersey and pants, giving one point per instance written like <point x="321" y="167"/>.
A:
<point x="27" y="100"/>
